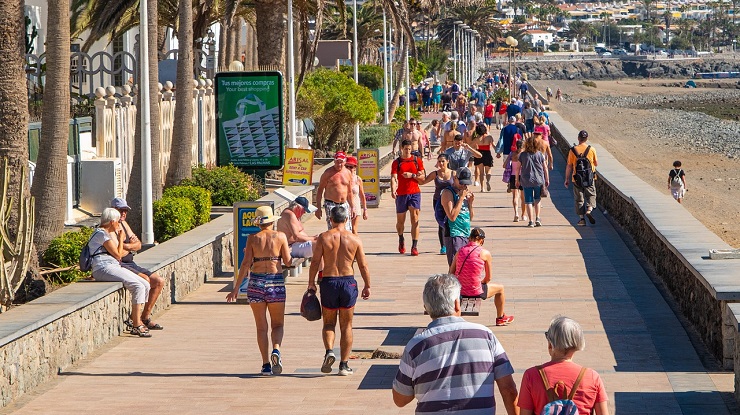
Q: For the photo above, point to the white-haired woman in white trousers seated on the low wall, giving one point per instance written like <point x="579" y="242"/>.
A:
<point x="106" y="247"/>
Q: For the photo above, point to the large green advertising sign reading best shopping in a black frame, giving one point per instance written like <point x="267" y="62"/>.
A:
<point x="249" y="119"/>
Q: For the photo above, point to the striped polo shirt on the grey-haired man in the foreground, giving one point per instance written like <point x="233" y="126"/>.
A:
<point x="451" y="367"/>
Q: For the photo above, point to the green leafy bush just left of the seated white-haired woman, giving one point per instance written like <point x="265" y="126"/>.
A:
<point x="64" y="251"/>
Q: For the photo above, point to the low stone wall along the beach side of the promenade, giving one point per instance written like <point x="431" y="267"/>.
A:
<point x="675" y="243"/>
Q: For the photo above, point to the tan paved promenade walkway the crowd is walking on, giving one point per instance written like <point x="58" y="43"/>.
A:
<point x="206" y="360"/>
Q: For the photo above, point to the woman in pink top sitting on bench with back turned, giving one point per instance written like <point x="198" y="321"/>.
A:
<point x="472" y="262"/>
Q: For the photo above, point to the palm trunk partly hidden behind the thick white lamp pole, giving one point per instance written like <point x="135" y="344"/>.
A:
<point x="133" y="194"/>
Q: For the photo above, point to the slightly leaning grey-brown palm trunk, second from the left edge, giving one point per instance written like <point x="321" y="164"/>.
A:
<point x="50" y="179"/>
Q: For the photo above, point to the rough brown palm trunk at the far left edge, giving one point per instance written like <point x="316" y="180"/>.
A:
<point x="13" y="97"/>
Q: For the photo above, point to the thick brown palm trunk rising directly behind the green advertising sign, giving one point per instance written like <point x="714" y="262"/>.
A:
<point x="271" y="31"/>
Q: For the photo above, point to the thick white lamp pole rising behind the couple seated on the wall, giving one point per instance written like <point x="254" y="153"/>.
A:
<point x="147" y="220"/>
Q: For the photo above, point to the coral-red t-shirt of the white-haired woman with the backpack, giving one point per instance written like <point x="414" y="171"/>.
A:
<point x="532" y="394"/>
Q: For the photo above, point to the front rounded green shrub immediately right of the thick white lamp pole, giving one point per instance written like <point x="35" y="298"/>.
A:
<point x="173" y="216"/>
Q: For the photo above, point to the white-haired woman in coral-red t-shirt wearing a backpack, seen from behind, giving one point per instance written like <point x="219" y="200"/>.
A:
<point x="564" y="379"/>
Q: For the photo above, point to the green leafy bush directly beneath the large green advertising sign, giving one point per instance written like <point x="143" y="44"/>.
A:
<point x="227" y="184"/>
